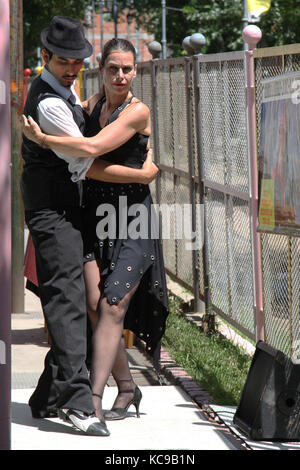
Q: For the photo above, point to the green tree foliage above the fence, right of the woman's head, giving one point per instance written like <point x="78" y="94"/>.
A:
<point x="220" y="21"/>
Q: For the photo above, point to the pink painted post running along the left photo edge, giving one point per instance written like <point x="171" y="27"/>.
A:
<point x="5" y="227"/>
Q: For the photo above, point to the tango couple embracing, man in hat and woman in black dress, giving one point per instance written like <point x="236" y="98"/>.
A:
<point x="78" y="156"/>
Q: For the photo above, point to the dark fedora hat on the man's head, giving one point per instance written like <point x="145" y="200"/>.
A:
<point x="65" y="37"/>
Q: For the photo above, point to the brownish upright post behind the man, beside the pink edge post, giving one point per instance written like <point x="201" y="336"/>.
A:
<point x="16" y="53"/>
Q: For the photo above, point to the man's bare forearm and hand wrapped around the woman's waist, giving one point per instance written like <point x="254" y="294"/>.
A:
<point x="104" y="171"/>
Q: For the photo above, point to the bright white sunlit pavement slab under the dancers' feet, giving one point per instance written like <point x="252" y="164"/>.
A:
<point x="169" y="421"/>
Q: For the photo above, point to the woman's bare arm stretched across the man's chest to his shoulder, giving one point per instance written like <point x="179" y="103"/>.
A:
<point x="135" y="118"/>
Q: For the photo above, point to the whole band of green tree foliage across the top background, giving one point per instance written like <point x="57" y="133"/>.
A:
<point x="220" y="21"/>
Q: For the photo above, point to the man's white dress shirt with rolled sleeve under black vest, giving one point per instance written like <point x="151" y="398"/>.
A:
<point x="56" y="119"/>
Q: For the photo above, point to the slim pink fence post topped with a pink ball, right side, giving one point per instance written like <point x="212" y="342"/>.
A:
<point x="252" y="35"/>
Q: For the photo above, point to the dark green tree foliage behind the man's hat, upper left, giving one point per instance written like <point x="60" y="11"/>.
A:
<point x="38" y="14"/>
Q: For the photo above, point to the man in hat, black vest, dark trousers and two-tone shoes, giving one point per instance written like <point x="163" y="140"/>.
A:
<point x="51" y="187"/>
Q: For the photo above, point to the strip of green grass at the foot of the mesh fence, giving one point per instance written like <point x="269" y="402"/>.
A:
<point x="214" y="362"/>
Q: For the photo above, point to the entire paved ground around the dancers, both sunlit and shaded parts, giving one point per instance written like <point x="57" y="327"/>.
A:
<point x="177" y="416"/>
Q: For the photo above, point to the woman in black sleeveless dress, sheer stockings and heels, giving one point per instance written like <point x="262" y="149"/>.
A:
<point x="132" y="273"/>
